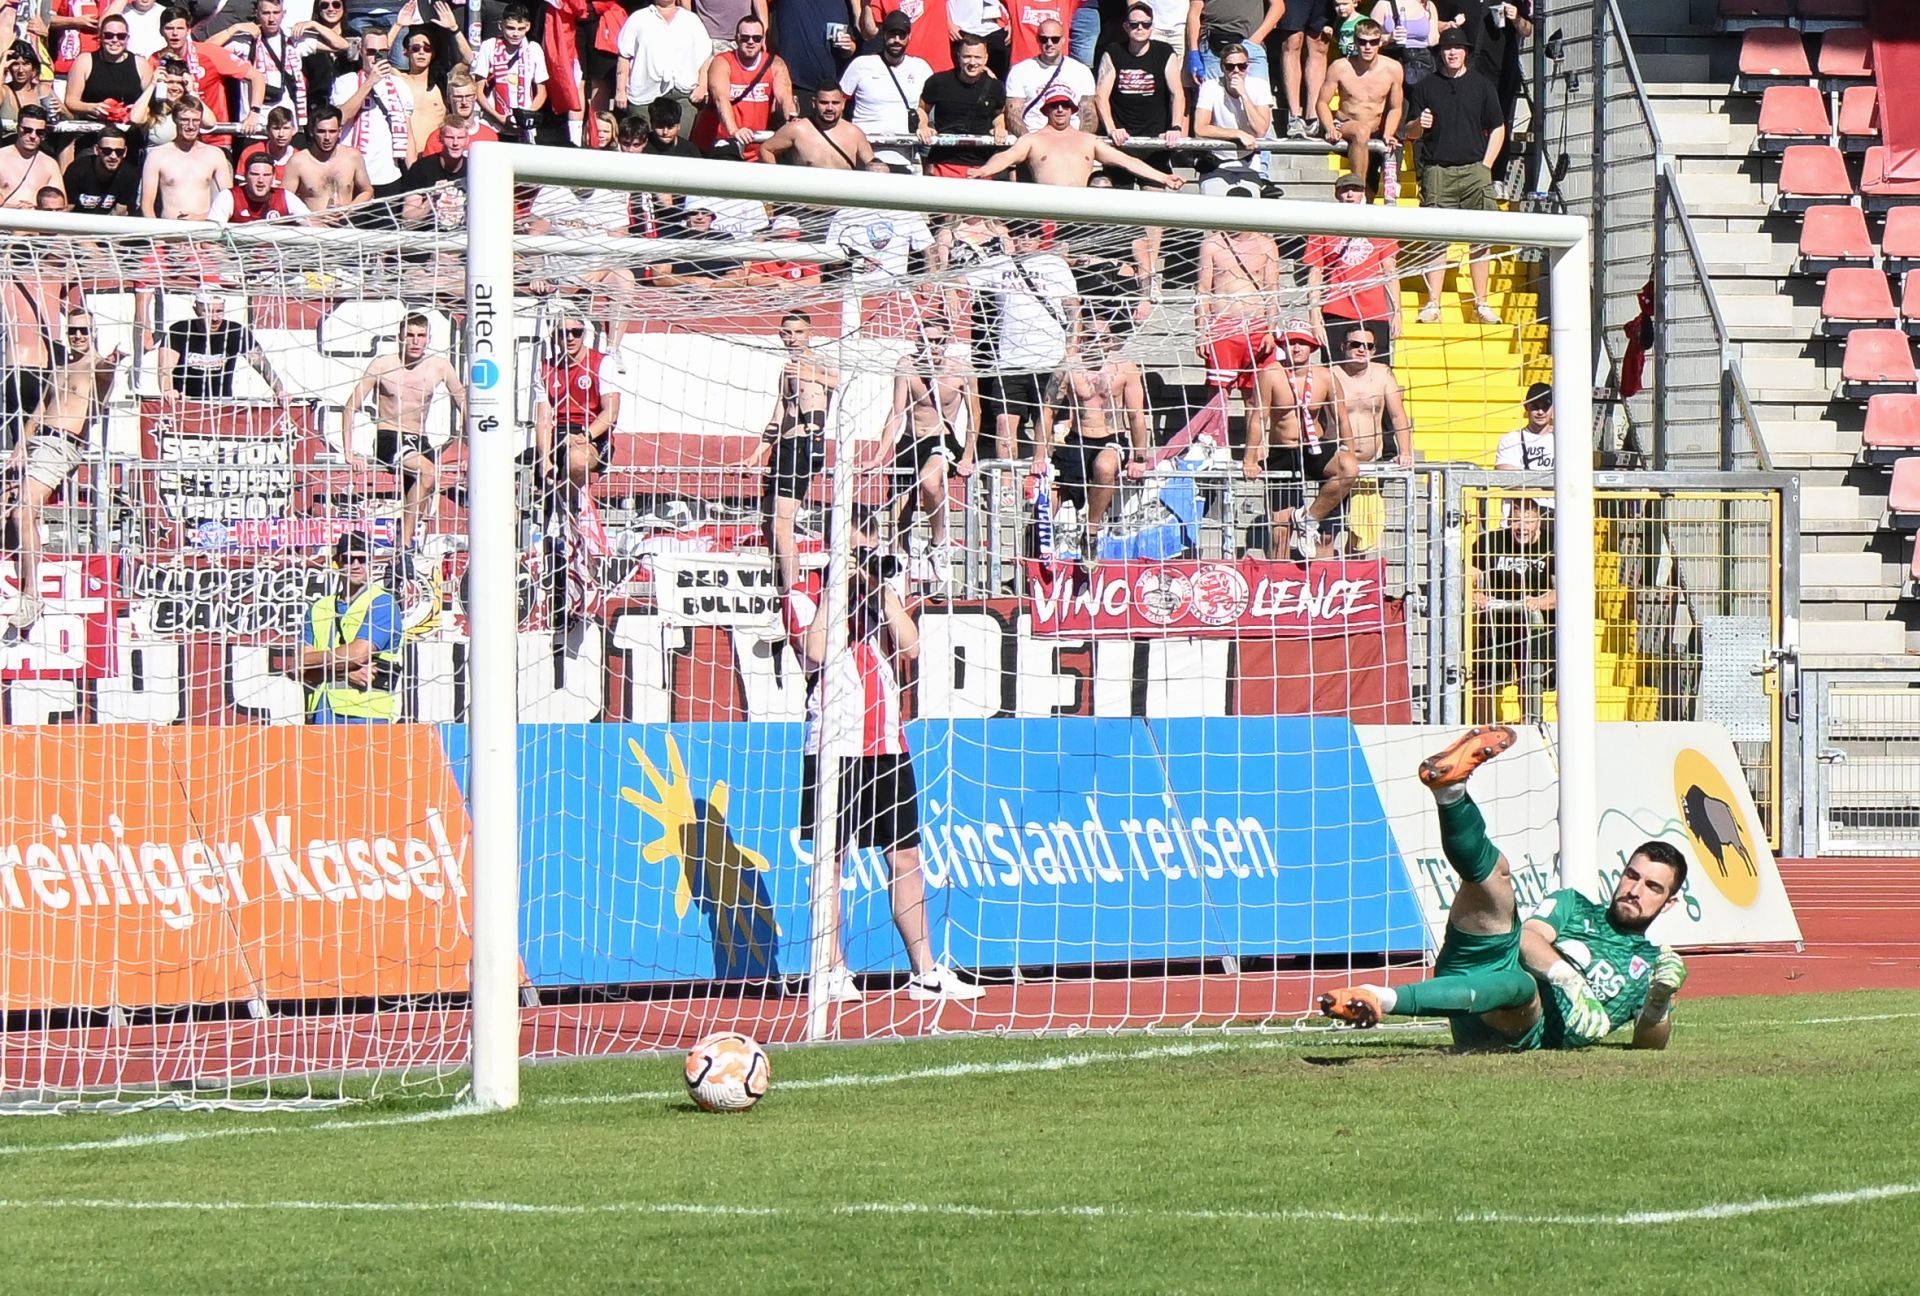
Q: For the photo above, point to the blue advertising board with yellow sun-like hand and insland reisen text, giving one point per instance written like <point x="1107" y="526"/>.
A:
<point x="660" y="853"/>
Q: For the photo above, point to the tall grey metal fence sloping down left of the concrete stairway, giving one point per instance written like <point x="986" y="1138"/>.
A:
<point x="1694" y="410"/>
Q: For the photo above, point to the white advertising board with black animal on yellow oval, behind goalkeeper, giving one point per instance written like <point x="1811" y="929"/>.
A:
<point x="1668" y="782"/>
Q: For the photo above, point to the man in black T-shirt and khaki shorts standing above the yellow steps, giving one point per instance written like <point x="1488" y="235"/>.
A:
<point x="1456" y="118"/>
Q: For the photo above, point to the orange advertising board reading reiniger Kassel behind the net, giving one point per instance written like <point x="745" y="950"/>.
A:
<point x="214" y="865"/>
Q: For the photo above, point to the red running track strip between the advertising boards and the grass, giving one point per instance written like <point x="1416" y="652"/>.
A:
<point x="1860" y="919"/>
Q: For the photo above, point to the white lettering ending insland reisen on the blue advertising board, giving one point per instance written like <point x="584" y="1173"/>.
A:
<point x="1053" y="853"/>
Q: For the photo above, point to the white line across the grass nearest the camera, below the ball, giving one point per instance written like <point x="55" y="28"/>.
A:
<point x="1088" y="1212"/>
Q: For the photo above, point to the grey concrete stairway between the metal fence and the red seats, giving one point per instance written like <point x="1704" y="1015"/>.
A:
<point x="1852" y="569"/>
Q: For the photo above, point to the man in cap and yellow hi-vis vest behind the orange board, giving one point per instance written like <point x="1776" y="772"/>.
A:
<point x="350" y="650"/>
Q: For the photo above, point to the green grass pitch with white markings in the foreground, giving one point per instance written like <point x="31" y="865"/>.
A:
<point x="1771" y="1151"/>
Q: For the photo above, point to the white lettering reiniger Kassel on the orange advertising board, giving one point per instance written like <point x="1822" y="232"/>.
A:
<point x="187" y="878"/>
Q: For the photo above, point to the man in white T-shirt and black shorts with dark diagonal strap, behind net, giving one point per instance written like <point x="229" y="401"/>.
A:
<point x="1040" y="306"/>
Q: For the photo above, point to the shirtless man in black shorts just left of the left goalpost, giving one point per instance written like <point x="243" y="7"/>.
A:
<point x="404" y="391"/>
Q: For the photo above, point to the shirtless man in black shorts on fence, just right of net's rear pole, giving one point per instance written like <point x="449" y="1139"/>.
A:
<point x="936" y="402"/>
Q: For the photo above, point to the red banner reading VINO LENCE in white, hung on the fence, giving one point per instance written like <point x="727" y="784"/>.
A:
<point x="1201" y="600"/>
